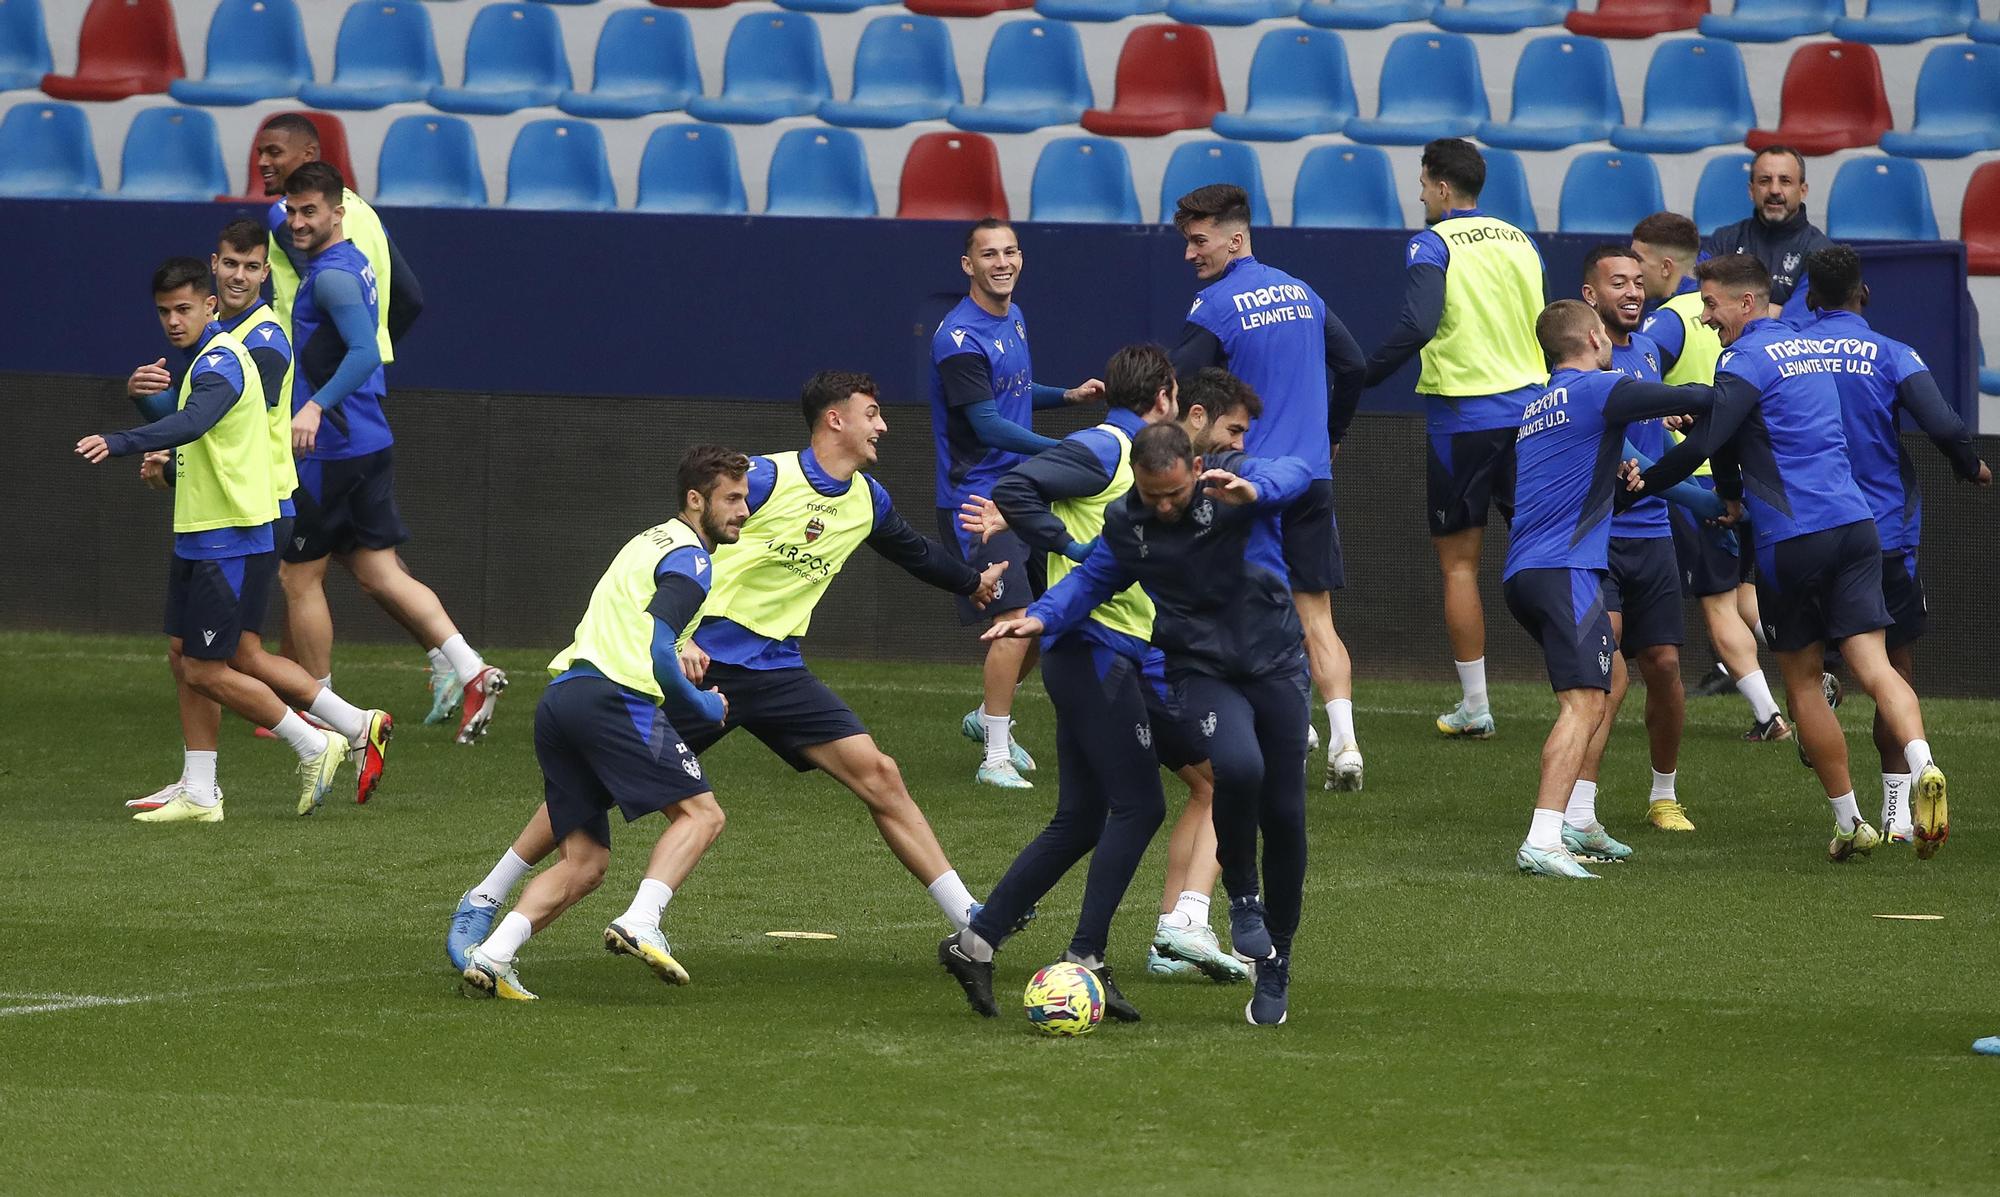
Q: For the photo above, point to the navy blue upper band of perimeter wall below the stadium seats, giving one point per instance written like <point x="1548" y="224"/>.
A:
<point x="747" y="307"/>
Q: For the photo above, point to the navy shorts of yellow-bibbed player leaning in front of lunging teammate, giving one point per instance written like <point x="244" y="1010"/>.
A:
<point x="603" y="746"/>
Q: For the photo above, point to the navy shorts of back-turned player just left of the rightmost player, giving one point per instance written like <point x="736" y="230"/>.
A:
<point x="1821" y="587"/>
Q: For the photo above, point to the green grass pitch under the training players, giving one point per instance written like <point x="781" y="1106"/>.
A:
<point x="265" y="1006"/>
